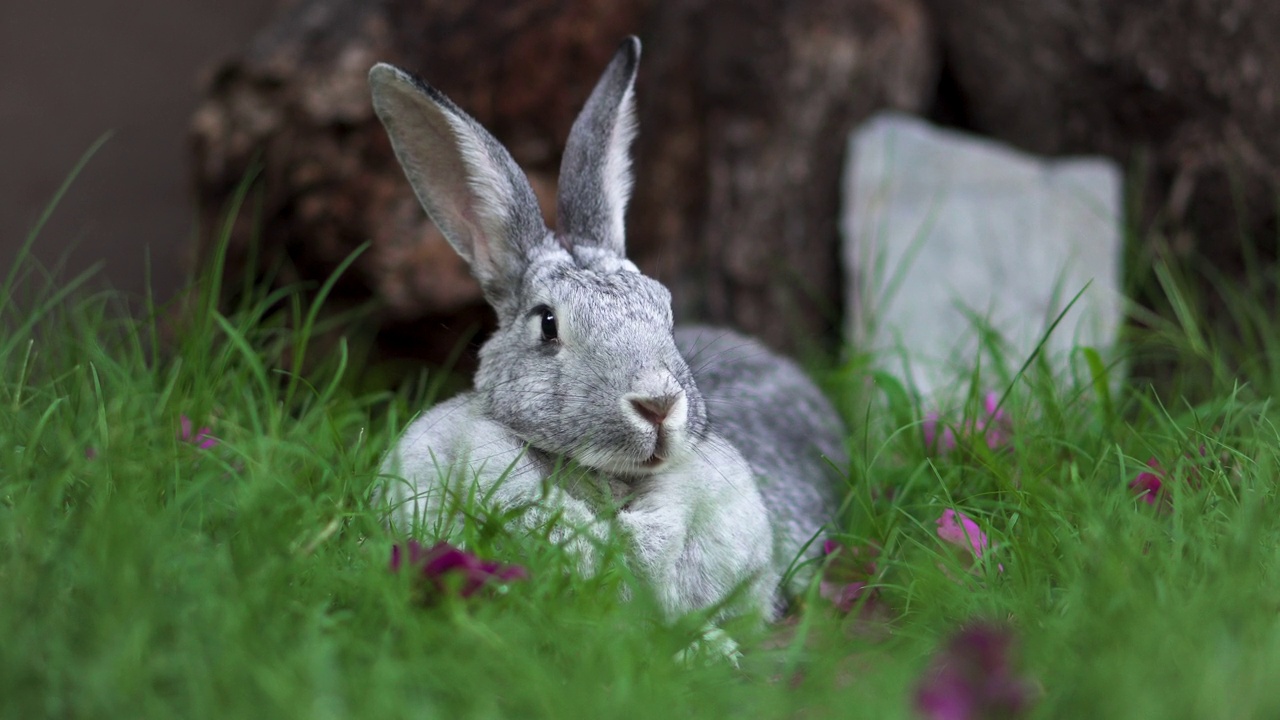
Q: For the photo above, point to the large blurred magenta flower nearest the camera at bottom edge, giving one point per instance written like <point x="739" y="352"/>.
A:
<point x="973" y="678"/>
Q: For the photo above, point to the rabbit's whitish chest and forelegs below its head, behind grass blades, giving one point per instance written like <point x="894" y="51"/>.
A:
<point x="697" y="531"/>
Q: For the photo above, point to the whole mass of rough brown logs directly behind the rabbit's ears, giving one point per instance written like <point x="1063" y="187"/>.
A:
<point x="744" y="112"/>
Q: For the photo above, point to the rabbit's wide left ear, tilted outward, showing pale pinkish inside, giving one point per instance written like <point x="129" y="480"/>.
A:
<point x="465" y="179"/>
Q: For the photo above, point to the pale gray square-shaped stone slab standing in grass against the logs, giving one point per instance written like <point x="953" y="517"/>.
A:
<point x="947" y="234"/>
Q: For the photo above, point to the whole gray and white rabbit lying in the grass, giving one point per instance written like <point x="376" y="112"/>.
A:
<point x="712" y="457"/>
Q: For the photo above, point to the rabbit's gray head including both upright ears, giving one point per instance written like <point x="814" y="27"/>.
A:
<point x="583" y="363"/>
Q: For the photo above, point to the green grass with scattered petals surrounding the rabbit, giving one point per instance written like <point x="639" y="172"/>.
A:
<point x="143" y="576"/>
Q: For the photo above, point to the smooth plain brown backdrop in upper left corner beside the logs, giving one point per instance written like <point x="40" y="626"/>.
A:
<point x="75" y="70"/>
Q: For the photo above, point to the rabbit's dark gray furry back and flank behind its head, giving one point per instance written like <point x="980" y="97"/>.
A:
<point x="783" y="425"/>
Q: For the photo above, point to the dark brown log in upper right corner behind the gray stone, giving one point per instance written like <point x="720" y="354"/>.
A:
<point x="1183" y="93"/>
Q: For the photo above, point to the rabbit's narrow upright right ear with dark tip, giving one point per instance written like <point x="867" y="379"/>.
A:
<point x="596" y="171"/>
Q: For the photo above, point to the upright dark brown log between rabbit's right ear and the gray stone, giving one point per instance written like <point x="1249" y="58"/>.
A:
<point x="744" y="138"/>
